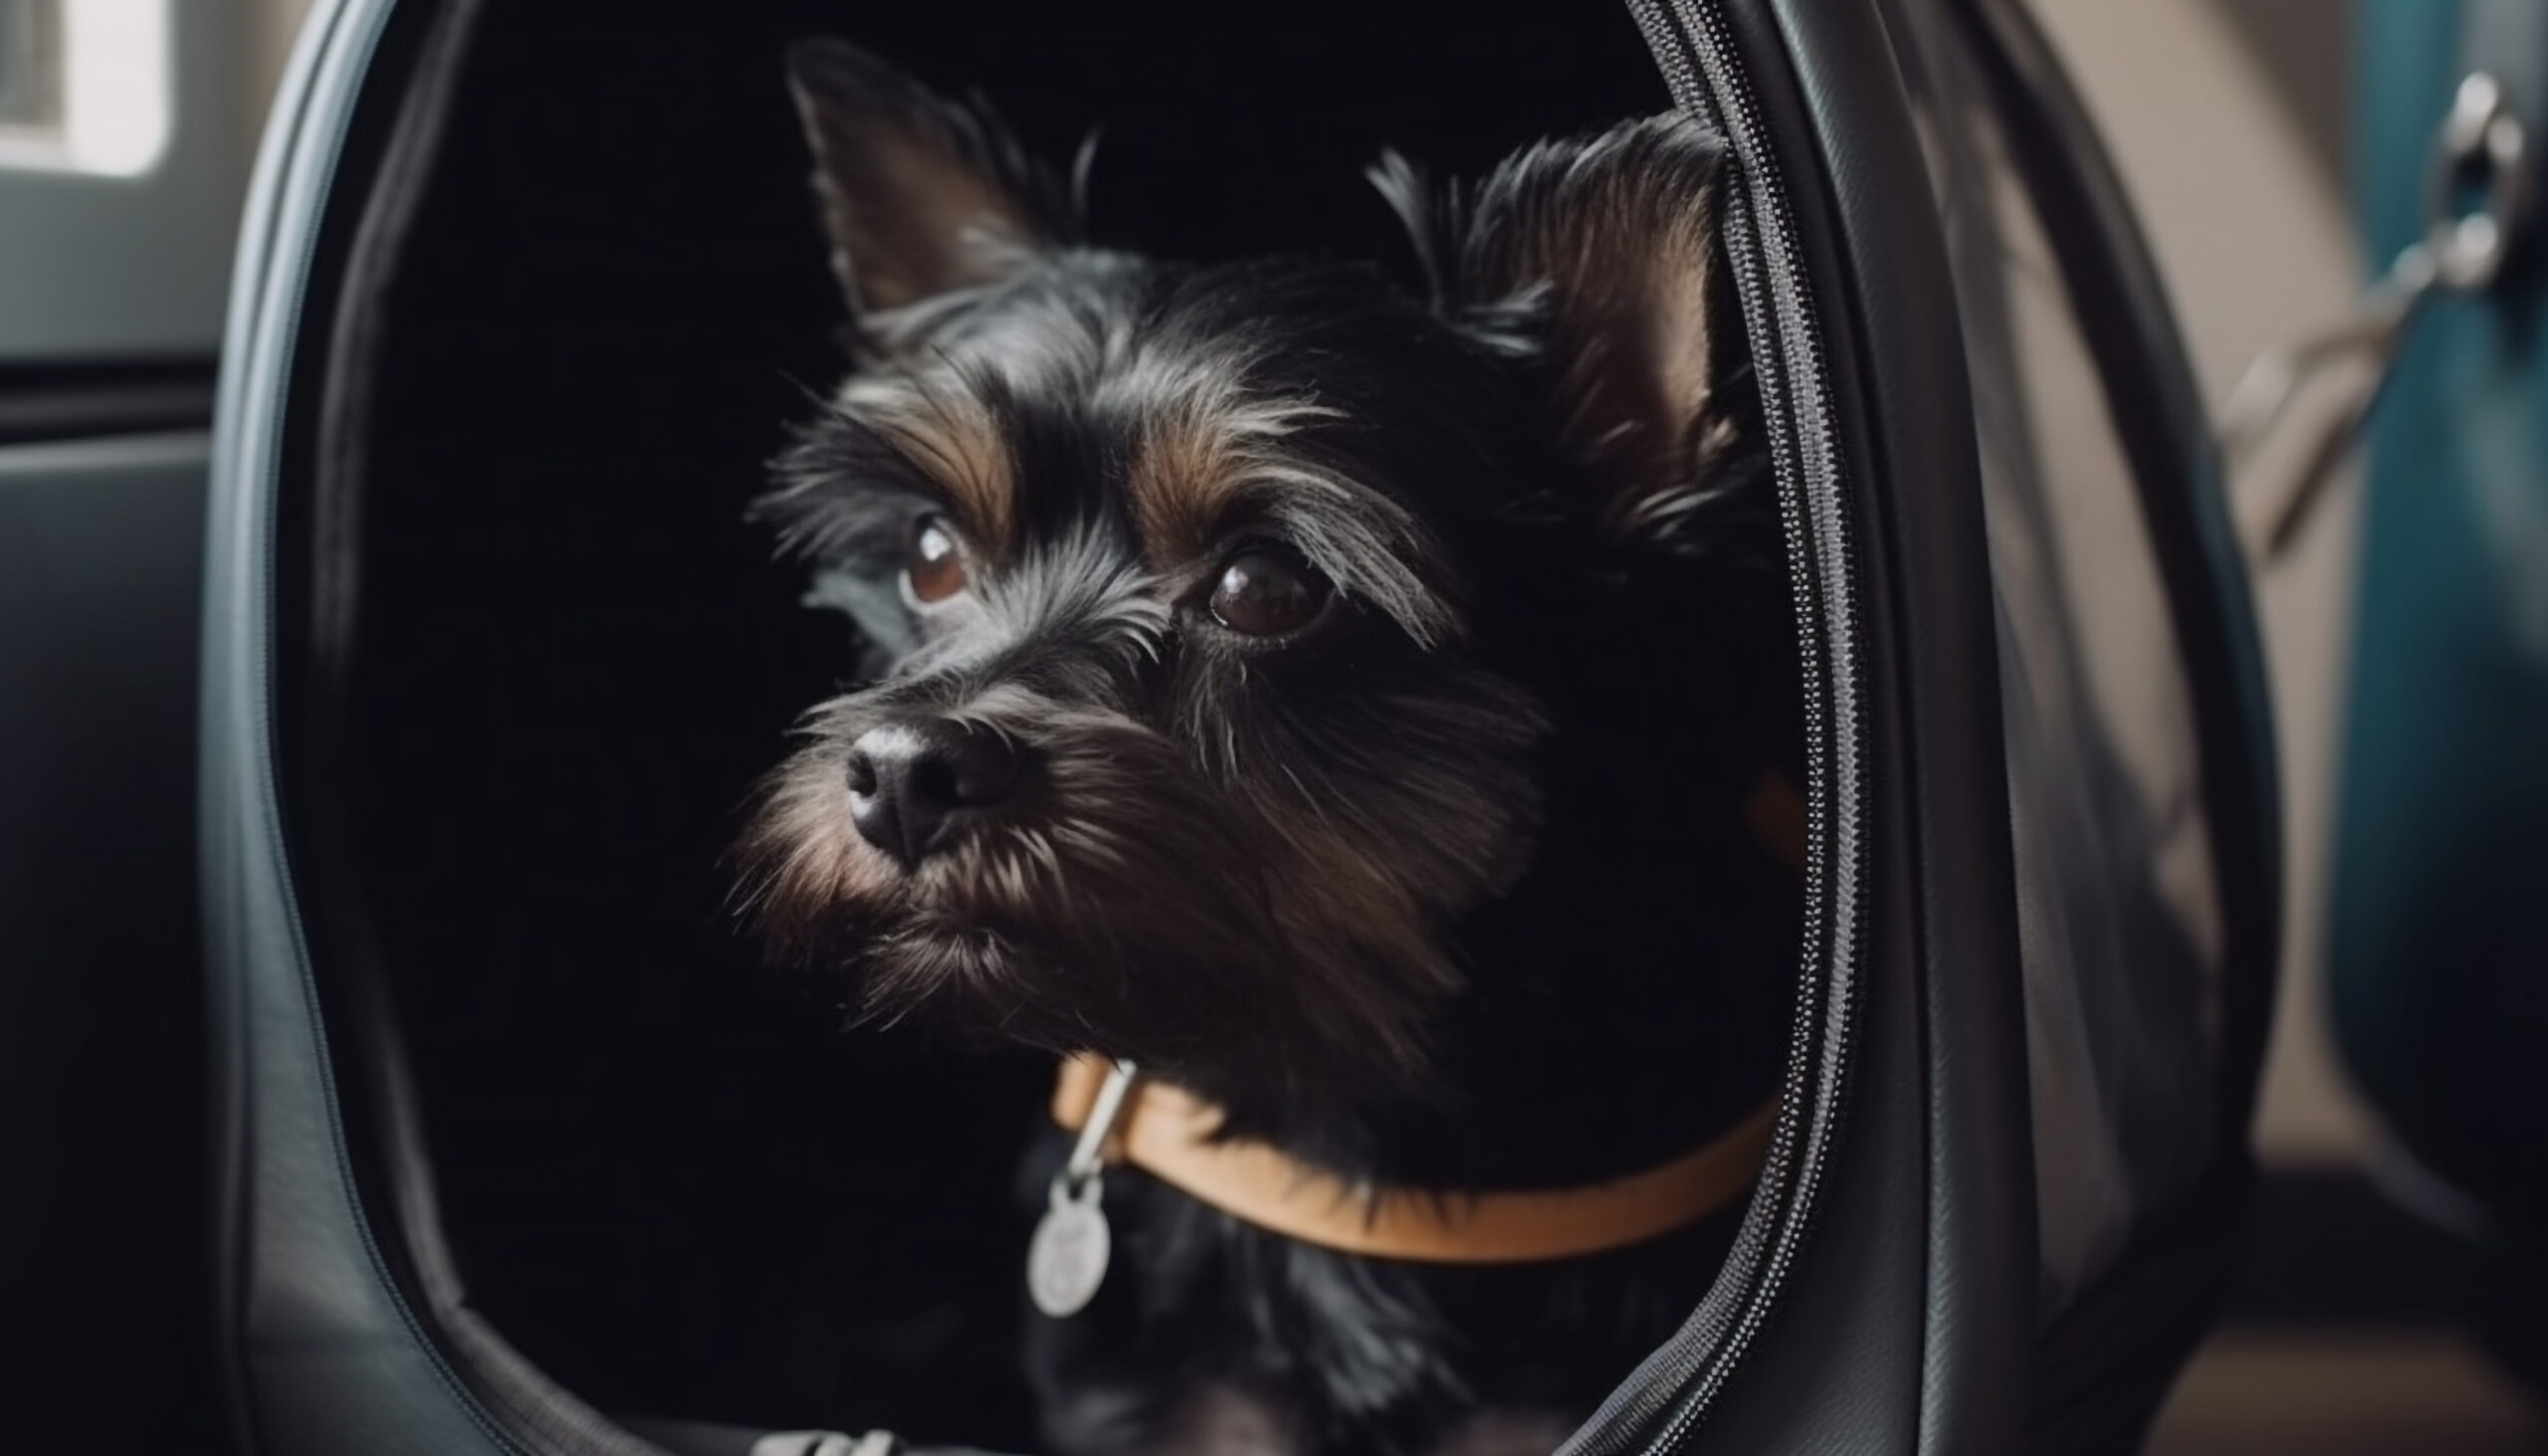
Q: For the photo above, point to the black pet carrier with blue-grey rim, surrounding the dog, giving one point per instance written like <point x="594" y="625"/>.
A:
<point x="526" y="297"/>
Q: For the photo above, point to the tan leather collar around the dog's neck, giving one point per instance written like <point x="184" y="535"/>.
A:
<point x="1168" y="1133"/>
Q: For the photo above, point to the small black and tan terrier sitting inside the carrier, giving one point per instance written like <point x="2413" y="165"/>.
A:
<point x="1352" y="705"/>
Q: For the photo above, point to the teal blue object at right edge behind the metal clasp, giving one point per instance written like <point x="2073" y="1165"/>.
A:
<point x="2440" y="901"/>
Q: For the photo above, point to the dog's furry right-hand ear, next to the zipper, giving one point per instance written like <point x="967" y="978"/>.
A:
<point x="1612" y="244"/>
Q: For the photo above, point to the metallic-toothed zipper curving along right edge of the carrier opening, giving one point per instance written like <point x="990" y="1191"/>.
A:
<point x="1688" y="1376"/>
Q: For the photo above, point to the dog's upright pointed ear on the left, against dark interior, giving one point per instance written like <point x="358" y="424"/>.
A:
<point x="921" y="195"/>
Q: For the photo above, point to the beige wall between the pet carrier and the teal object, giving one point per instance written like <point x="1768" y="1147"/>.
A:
<point x="2226" y="119"/>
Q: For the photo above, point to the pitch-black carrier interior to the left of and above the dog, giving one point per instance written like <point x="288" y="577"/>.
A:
<point x="552" y="657"/>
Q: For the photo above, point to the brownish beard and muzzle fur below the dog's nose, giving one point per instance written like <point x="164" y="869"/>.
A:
<point x="1133" y="906"/>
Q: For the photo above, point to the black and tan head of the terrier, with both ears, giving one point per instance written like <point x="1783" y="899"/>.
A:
<point x="1214" y="613"/>
